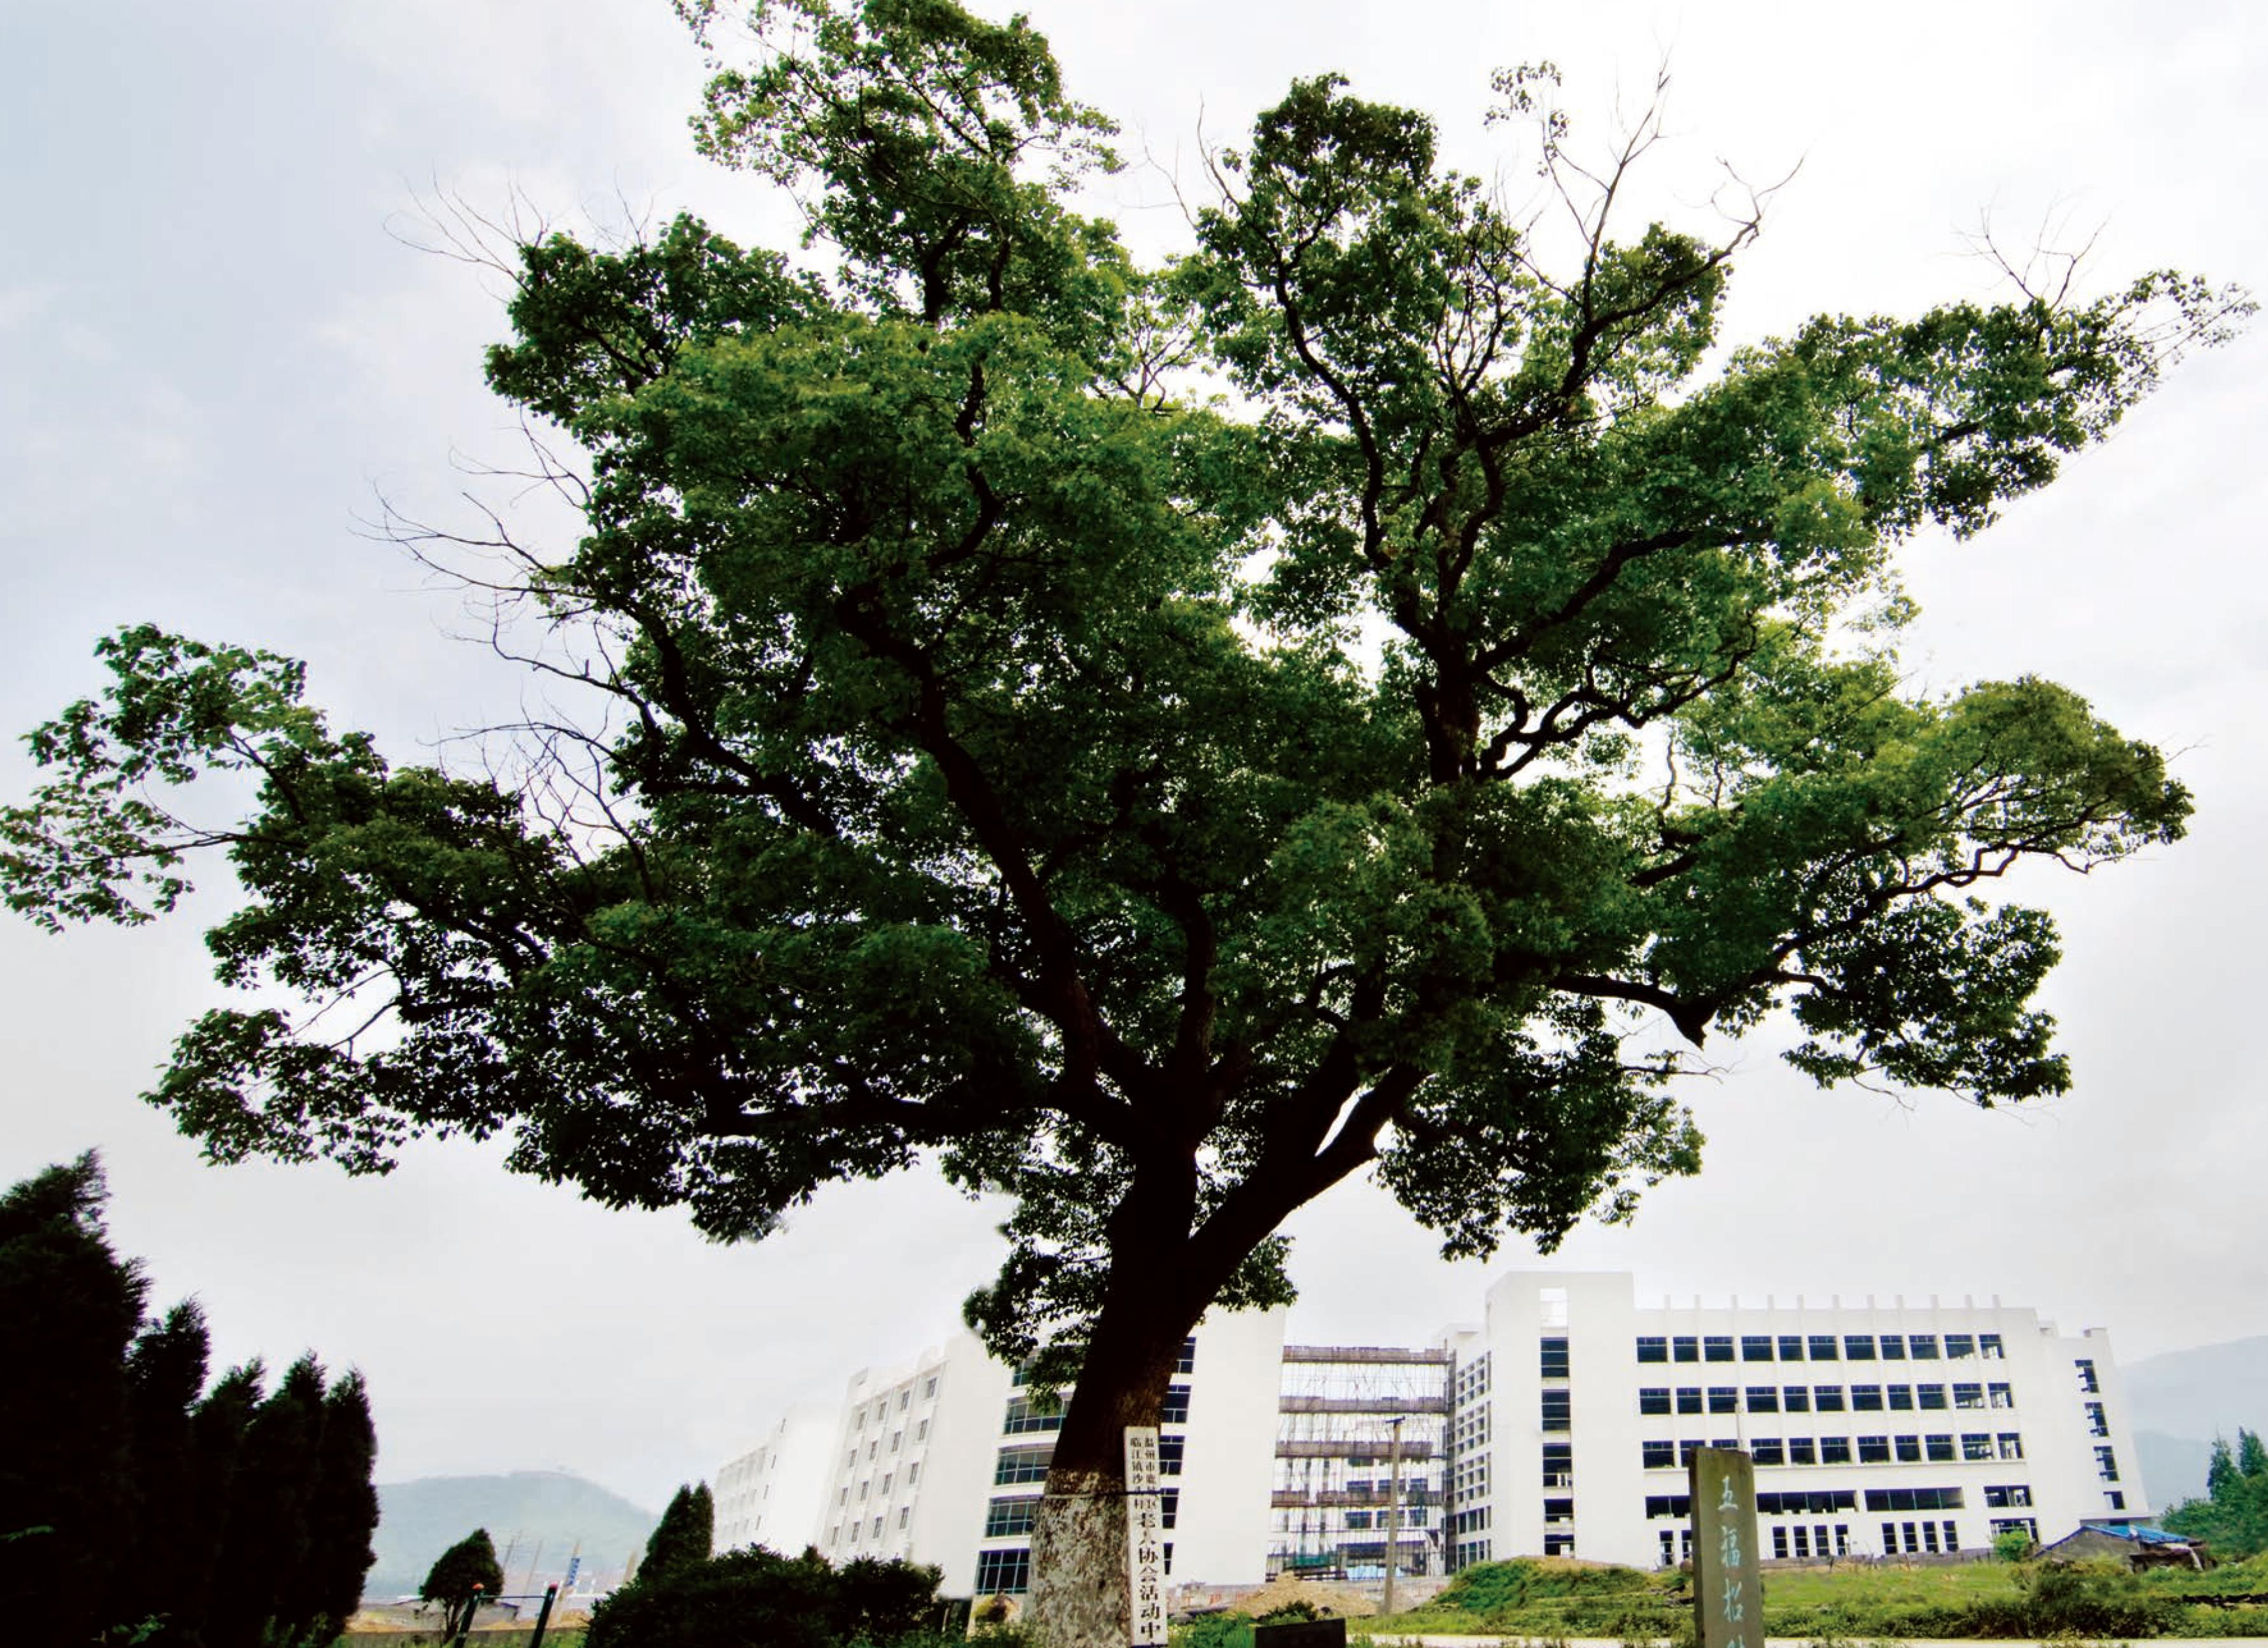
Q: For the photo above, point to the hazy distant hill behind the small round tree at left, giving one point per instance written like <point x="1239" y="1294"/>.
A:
<point x="539" y="1518"/>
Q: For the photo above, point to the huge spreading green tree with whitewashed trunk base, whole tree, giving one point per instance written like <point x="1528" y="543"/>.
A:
<point x="1153" y="742"/>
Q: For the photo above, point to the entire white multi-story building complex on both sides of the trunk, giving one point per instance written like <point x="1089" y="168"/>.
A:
<point x="1559" y="1427"/>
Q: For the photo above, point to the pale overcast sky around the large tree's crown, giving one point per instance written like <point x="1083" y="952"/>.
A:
<point x="214" y="352"/>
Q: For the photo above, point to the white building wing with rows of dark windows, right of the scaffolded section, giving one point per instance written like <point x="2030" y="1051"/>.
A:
<point x="1877" y="1429"/>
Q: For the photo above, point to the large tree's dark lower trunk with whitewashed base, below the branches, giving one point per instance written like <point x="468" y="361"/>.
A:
<point x="1081" y="1536"/>
